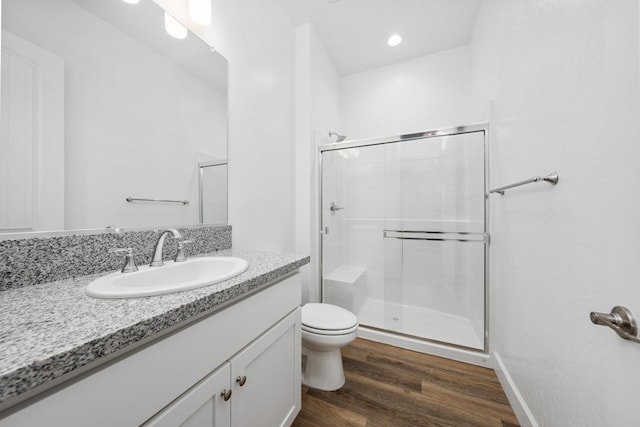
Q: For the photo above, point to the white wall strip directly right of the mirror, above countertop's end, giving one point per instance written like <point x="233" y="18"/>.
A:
<point x="257" y="38"/>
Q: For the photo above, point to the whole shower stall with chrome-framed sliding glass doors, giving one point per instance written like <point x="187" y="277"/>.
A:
<point x="404" y="235"/>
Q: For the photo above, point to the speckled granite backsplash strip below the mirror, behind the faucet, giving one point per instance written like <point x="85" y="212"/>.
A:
<point x="25" y="262"/>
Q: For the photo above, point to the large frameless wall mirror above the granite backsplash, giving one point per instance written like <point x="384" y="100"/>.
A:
<point x="100" y="104"/>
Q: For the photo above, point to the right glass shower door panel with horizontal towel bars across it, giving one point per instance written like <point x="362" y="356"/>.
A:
<point x="434" y="239"/>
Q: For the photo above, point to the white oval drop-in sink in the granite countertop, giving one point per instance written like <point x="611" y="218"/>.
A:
<point x="171" y="277"/>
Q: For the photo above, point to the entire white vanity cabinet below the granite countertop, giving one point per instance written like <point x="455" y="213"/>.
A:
<point x="179" y="379"/>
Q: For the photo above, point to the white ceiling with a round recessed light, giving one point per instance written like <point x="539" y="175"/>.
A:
<point x="355" y="32"/>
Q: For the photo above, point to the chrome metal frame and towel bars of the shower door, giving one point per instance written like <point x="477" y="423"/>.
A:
<point x="484" y="236"/>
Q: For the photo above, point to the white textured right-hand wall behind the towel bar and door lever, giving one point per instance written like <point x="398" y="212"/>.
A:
<point x="564" y="80"/>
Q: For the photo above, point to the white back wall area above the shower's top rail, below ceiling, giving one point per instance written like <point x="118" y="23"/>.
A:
<point x="428" y="92"/>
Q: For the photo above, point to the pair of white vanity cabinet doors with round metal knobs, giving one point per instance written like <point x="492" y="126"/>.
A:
<point x="259" y="386"/>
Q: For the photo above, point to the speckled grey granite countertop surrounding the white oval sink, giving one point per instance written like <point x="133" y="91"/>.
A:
<point x="49" y="330"/>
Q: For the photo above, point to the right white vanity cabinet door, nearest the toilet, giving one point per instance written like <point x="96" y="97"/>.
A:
<point x="269" y="370"/>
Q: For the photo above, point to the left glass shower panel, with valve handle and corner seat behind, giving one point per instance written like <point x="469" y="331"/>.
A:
<point x="352" y="218"/>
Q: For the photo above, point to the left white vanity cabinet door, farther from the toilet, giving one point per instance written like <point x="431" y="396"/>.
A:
<point x="202" y="406"/>
